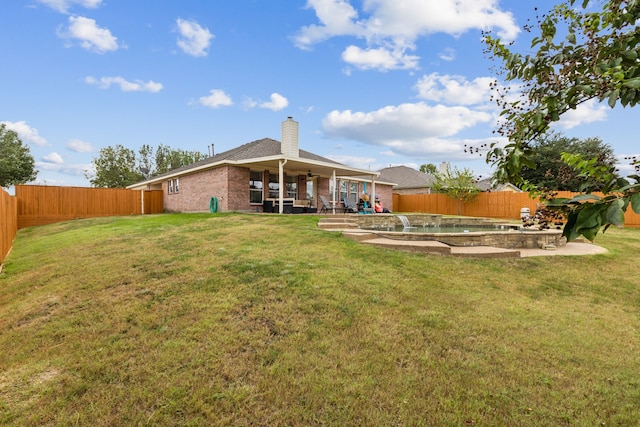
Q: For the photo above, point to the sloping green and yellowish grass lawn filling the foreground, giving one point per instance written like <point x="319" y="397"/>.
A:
<point x="233" y="319"/>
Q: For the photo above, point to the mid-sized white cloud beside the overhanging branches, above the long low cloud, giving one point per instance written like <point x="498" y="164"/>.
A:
<point x="454" y="89"/>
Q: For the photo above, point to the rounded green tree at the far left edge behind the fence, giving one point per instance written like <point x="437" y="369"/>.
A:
<point x="16" y="162"/>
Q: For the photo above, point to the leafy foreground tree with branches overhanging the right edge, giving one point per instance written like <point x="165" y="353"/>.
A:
<point x="578" y="56"/>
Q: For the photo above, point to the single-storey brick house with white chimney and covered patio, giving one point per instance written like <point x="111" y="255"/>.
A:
<point x="264" y="176"/>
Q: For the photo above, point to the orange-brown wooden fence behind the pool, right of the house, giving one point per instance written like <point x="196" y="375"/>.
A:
<point x="503" y="205"/>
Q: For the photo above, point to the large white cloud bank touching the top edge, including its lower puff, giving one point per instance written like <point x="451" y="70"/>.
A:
<point x="394" y="26"/>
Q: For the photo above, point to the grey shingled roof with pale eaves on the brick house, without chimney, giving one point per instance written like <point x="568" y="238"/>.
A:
<point x="263" y="153"/>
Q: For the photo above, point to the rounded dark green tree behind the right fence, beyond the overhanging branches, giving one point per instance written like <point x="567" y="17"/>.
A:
<point x="553" y="173"/>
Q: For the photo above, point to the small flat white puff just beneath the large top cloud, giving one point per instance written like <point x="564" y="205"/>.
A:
<point x="381" y="58"/>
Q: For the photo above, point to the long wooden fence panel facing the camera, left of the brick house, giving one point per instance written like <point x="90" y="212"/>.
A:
<point x="40" y="205"/>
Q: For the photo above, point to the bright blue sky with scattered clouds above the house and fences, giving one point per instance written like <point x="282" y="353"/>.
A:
<point x="373" y="83"/>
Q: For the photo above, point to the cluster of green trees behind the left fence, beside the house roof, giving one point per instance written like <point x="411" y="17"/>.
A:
<point x="117" y="167"/>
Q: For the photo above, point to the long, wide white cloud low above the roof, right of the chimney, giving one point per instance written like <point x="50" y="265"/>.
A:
<point x="409" y="129"/>
